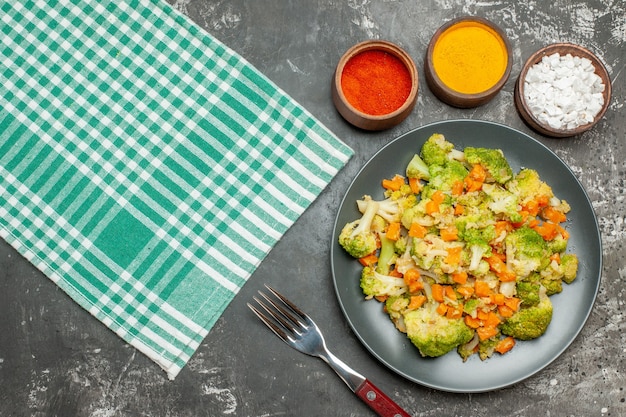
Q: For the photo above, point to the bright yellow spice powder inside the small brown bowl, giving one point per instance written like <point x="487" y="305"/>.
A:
<point x="470" y="57"/>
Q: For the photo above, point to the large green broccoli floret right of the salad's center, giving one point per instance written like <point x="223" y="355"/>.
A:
<point x="526" y="251"/>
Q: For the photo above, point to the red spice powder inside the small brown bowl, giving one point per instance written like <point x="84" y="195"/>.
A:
<point x="376" y="82"/>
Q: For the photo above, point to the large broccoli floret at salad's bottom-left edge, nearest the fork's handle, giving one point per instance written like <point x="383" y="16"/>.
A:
<point x="433" y="334"/>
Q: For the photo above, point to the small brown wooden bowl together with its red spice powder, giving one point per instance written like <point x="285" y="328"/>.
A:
<point x="375" y="85"/>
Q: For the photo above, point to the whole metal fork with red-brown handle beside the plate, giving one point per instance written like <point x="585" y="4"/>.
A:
<point x="299" y="331"/>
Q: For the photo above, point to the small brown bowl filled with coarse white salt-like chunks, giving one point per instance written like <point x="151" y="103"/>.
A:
<point x="562" y="90"/>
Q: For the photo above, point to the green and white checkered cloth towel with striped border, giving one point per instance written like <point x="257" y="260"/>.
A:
<point x="145" y="167"/>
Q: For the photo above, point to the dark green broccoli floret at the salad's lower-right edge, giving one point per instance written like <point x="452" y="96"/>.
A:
<point x="529" y="323"/>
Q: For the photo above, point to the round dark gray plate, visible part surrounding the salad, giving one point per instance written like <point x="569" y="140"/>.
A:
<point x="571" y="307"/>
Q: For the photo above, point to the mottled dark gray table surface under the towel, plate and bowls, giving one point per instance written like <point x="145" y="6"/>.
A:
<point x="57" y="360"/>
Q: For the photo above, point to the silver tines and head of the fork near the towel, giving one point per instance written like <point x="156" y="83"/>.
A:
<point x="284" y="317"/>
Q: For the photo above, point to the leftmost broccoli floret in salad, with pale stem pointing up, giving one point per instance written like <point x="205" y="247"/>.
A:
<point x="357" y="237"/>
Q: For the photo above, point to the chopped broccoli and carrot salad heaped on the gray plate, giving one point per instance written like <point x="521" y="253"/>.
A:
<point x="463" y="253"/>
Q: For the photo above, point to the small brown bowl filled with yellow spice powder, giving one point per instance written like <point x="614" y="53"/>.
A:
<point x="468" y="61"/>
